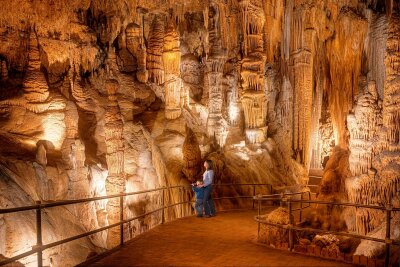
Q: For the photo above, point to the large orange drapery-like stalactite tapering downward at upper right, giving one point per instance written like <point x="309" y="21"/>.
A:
<point x="351" y="29"/>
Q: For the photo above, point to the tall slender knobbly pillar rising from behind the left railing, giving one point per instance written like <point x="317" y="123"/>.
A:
<point x="115" y="182"/>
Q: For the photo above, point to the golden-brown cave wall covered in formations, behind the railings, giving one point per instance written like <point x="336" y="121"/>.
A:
<point x="101" y="97"/>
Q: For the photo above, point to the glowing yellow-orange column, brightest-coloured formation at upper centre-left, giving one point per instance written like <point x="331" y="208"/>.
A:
<point x="173" y="83"/>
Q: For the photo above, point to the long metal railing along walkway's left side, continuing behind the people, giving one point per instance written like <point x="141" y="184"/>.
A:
<point x="39" y="206"/>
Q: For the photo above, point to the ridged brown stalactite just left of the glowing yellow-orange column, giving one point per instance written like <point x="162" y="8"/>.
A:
<point x="155" y="51"/>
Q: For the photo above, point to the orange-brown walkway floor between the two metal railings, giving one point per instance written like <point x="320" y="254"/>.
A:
<point x="225" y="240"/>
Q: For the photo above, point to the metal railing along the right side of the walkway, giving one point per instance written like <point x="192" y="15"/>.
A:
<point x="291" y="227"/>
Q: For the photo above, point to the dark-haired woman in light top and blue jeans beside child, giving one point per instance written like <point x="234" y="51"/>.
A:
<point x="208" y="179"/>
